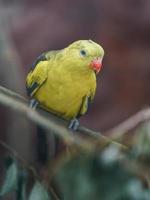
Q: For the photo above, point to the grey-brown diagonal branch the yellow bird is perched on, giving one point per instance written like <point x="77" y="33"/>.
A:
<point x="52" y="123"/>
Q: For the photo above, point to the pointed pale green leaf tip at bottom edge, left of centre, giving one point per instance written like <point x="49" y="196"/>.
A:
<point x="39" y="192"/>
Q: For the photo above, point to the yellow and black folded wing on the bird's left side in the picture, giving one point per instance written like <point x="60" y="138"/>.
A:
<point x="39" y="72"/>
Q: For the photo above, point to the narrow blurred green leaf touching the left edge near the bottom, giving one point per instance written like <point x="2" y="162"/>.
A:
<point x="11" y="178"/>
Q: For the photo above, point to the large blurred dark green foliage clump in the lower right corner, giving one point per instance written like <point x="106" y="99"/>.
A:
<point x="102" y="176"/>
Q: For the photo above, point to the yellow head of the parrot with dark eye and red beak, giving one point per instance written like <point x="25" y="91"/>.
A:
<point x="86" y="55"/>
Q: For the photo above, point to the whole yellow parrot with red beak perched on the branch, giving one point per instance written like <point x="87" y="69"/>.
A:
<point x="64" y="81"/>
